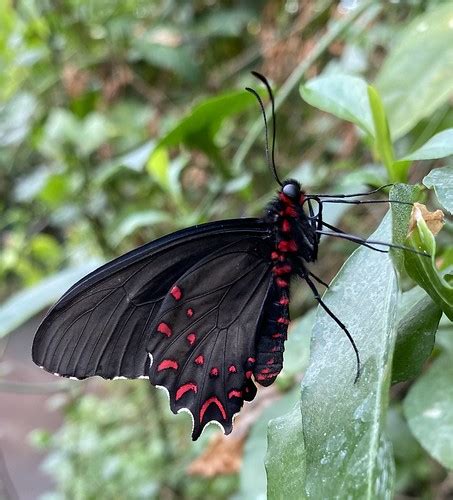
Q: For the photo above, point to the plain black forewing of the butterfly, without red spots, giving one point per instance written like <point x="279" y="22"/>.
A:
<point x="101" y="326"/>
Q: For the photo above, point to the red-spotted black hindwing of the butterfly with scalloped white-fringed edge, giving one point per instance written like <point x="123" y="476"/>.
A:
<point x="204" y="338"/>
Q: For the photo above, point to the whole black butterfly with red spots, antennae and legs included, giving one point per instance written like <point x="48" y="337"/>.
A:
<point x="202" y="312"/>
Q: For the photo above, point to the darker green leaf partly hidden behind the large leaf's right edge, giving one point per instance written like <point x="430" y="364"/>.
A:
<point x="418" y="320"/>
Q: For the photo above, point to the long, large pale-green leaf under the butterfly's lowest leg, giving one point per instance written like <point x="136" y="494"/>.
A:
<point x="347" y="452"/>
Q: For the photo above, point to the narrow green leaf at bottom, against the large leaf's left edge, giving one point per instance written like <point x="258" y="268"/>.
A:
<point x="285" y="457"/>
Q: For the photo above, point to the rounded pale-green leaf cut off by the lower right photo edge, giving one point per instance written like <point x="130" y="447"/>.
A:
<point x="429" y="410"/>
